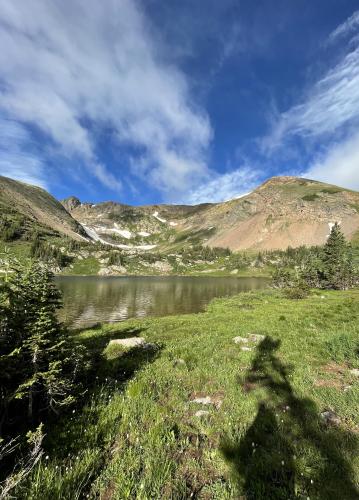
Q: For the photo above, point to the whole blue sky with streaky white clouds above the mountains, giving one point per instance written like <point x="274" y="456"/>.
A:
<point x="177" y="101"/>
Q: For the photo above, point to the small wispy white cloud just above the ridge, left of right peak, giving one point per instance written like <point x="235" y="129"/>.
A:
<point x="225" y="187"/>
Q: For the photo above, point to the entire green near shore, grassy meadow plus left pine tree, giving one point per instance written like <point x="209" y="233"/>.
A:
<point x="255" y="397"/>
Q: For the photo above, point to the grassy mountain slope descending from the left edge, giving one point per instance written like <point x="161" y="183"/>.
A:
<point x="31" y="209"/>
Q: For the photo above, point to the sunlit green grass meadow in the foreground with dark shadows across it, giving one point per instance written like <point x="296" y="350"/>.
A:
<point x="137" y="435"/>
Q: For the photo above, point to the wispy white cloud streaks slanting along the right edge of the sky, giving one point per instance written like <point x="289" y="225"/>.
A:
<point x="326" y="119"/>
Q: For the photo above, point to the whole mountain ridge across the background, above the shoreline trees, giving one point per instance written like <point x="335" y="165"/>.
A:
<point x="282" y="212"/>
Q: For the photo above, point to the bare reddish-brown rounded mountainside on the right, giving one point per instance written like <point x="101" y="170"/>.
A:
<point x="282" y="212"/>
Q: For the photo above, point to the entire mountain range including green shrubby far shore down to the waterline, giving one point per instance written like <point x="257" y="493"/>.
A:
<point x="76" y="237"/>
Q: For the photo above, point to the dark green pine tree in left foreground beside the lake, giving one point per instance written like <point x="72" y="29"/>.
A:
<point x="38" y="362"/>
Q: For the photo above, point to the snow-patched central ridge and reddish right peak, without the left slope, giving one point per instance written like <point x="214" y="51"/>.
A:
<point x="282" y="212"/>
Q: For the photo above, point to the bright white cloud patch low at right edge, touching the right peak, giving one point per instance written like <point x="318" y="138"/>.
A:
<point x="339" y="165"/>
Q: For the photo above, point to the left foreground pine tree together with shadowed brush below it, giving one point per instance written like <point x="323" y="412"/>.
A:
<point x="39" y="365"/>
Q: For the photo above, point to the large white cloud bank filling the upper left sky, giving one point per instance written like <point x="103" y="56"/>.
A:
<point x="72" y="68"/>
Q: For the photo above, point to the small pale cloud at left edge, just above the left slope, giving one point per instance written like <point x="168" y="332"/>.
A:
<point x="16" y="160"/>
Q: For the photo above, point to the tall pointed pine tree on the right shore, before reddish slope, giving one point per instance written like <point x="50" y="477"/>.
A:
<point x="338" y="269"/>
